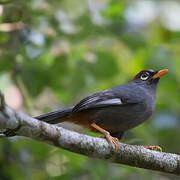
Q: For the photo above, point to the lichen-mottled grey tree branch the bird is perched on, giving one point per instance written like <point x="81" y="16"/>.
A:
<point x="131" y="155"/>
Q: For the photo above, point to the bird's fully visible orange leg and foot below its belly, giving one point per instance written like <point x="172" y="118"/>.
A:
<point x="111" y="140"/>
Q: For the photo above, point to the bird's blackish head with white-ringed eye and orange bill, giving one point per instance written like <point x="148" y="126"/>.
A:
<point x="150" y="76"/>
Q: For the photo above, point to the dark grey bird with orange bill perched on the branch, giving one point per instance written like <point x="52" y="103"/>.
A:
<point x="113" y="111"/>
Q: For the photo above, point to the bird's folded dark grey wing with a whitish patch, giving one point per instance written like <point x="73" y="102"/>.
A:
<point x="99" y="99"/>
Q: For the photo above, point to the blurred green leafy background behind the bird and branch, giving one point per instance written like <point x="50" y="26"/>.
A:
<point x="53" y="53"/>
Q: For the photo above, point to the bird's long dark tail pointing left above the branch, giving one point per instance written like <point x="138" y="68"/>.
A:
<point x="55" y="116"/>
